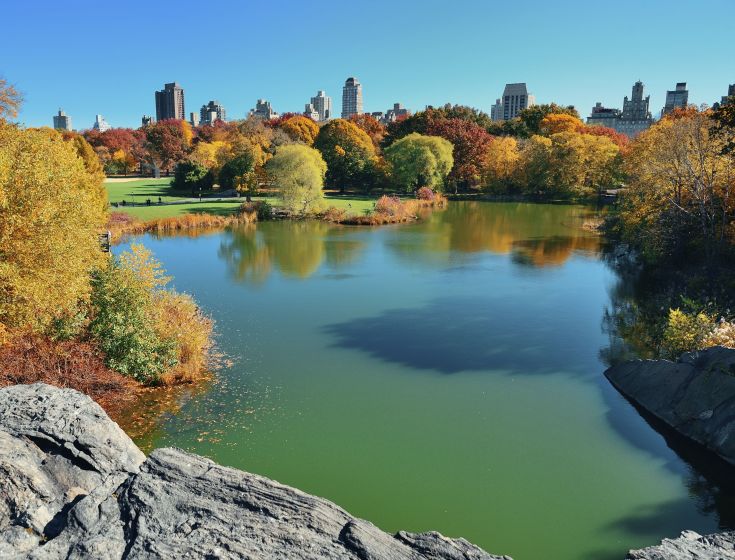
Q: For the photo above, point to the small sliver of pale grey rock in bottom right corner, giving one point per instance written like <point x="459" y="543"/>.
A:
<point x="690" y="546"/>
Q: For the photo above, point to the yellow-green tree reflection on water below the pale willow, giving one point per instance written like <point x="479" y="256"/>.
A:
<point x="295" y="249"/>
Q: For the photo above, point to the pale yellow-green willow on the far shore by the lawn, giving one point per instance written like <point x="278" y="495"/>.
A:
<point x="298" y="173"/>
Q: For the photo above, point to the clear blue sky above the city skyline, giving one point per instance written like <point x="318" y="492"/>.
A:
<point x="109" y="57"/>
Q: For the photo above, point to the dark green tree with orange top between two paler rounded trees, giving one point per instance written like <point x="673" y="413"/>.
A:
<point x="349" y="153"/>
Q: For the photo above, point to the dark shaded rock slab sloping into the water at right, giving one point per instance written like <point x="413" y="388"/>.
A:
<point x="694" y="395"/>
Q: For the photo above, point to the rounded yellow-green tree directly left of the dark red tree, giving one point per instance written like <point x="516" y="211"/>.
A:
<point x="420" y="161"/>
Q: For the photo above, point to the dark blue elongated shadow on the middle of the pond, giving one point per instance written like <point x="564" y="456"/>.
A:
<point x="455" y="334"/>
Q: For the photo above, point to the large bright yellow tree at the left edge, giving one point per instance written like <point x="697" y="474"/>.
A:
<point x="51" y="212"/>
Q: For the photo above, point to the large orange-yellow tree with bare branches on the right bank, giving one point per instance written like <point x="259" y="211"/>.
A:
<point x="680" y="192"/>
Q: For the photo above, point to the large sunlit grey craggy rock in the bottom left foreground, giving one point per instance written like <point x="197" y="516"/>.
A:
<point x="73" y="485"/>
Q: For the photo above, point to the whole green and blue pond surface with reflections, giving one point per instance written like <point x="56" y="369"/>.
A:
<point x="441" y="375"/>
